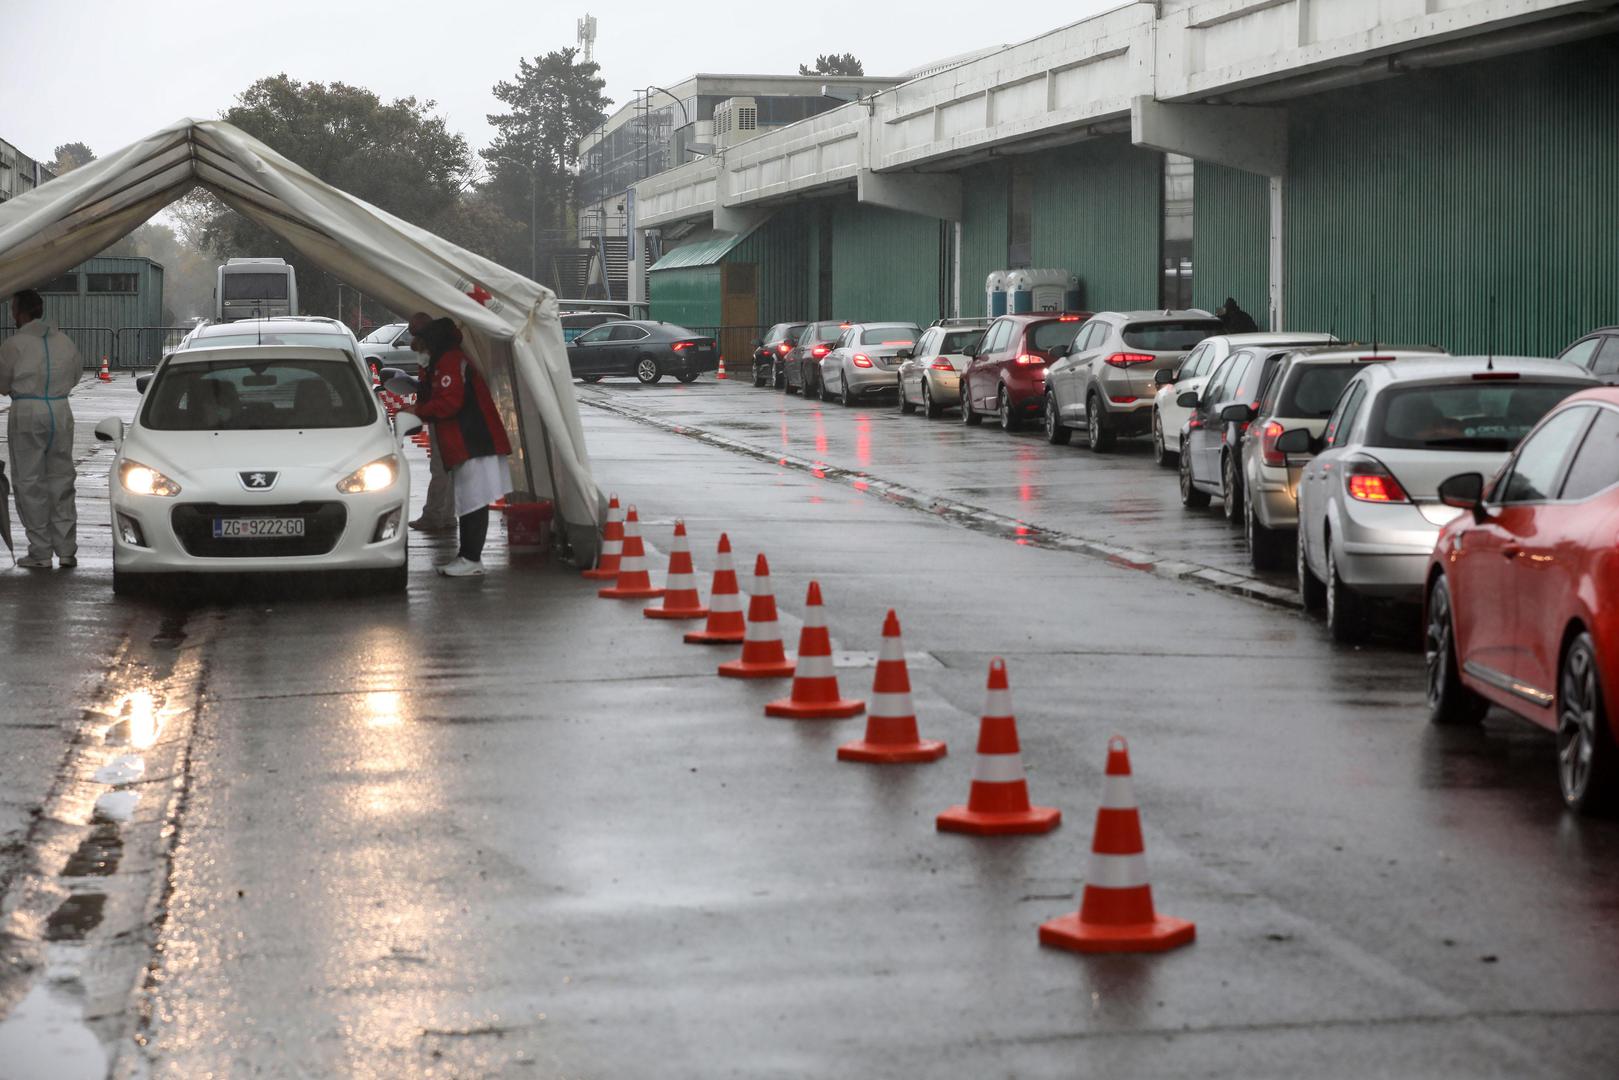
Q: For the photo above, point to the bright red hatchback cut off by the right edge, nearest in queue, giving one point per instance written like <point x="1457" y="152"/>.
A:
<point x="1524" y="595"/>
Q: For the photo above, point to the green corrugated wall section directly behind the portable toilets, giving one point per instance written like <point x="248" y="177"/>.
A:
<point x="1098" y="211"/>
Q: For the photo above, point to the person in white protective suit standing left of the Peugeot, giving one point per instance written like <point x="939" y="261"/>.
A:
<point x="38" y="368"/>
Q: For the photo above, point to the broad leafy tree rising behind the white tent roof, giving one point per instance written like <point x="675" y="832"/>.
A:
<point x="396" y="156"/>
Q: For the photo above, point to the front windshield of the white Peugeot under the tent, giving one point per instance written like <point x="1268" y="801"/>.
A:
<point x="260" y="394"/>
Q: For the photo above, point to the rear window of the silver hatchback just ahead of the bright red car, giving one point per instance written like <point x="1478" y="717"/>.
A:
<point x="1481" y="415"/>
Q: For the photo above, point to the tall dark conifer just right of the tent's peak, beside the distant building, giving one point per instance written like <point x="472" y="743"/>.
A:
<point x="553" y="104"/>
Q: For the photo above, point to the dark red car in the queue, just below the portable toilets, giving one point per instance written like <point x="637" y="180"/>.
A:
<point x="1006" y="378"/>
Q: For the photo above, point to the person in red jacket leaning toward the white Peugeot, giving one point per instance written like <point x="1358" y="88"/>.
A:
<point x="456" y="401"/>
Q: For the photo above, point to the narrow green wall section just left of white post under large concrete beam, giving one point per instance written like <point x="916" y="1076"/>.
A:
<point x="1231" y="240"/>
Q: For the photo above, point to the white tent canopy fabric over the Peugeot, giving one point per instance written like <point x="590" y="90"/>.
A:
<point x="511" y="325"/>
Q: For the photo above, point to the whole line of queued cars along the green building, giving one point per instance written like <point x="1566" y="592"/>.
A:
<point x="1482" y="488"/>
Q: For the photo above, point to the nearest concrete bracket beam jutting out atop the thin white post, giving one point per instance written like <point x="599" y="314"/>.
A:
<point x="1238" y="137"/>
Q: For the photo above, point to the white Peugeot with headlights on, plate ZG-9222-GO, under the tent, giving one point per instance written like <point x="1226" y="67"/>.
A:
<point x="258" y="459"/>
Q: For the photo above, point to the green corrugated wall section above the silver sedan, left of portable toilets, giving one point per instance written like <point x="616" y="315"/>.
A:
<point x="885" y="265"/>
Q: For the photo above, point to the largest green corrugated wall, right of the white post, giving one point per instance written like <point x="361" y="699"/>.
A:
<point x="1447" y="189"/>
